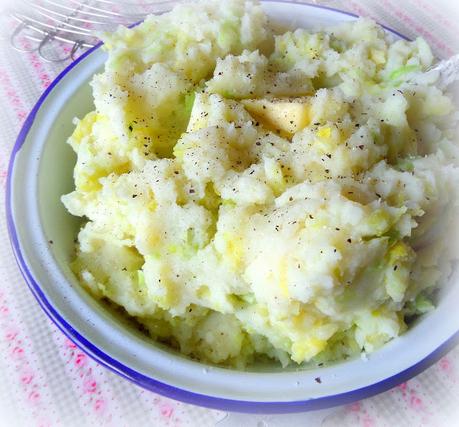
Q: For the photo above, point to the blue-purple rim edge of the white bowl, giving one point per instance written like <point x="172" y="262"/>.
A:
<point x="165" y="389"/>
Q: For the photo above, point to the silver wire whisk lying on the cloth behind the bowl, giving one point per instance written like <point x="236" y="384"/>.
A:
<point x="73" y="22"/>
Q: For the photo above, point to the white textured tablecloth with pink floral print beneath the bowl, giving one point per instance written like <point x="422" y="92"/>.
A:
<point x="45" y="380"/>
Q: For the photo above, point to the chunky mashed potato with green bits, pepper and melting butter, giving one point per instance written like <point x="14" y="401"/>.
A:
<point x="251" y="194"/>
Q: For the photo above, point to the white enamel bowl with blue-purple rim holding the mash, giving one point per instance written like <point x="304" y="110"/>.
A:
<point x="41" y="171"/>
